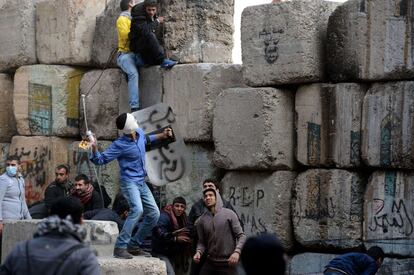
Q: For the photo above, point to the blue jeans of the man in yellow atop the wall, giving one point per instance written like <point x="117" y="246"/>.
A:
<point x="130" y="63"/>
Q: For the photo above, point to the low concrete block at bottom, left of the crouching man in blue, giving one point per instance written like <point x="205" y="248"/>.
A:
<point x="309" y="263"/>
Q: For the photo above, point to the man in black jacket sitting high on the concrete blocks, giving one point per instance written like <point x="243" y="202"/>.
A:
<point x="142" y="37"/>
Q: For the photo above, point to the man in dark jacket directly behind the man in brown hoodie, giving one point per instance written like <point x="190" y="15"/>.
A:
<point x="196" y="211"/>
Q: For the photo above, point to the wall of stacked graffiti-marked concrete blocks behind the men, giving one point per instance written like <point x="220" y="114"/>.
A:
<point x="327" y="187"/>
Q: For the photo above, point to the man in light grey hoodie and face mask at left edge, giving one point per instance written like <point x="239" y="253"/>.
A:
<point x="12" y="196"/>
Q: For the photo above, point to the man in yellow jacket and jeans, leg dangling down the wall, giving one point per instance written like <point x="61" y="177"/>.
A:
<point x="127" y="60"/>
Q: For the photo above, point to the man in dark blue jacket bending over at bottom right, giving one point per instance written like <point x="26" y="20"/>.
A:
<point x="356" y="263"/>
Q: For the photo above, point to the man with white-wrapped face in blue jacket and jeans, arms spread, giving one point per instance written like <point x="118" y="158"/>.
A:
<point x="129" y="150"/>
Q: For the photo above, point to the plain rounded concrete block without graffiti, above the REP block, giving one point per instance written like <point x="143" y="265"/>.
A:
<point x="253" y="129"/>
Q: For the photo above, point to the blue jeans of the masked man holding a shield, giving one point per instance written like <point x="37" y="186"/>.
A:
<point x="141" y="201"/>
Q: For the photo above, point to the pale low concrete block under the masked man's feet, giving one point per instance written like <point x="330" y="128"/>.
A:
<point x="137" y="265"/>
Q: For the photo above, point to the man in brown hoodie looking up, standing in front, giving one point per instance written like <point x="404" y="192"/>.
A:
<point x="221" y="234"/>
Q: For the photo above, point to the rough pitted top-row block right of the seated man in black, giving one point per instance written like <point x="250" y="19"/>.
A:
<point x="198" y="31"/>
